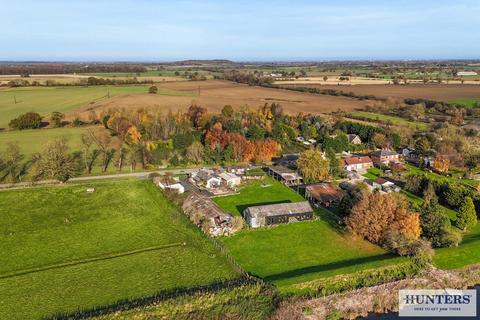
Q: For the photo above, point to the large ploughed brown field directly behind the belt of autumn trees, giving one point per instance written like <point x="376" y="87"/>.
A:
<point x="215" y="94"/>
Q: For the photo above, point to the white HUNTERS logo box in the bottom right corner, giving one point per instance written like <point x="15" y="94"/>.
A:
<point x="437" y="303"/>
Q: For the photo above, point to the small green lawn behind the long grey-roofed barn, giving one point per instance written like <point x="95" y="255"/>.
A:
<point x="253" y="194"/>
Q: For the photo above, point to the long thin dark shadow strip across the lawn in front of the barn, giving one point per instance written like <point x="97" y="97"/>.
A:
<point x="327" y="267"/>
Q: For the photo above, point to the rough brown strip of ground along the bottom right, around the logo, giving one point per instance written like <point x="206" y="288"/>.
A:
<point x="379" y="299"/>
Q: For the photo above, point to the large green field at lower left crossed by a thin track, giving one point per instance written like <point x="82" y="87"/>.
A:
<point x="64" y="249"/>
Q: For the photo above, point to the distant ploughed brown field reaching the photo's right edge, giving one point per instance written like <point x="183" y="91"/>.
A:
<point x="441" y="92"/>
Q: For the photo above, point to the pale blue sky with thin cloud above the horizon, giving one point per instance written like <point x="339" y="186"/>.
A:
<point x="241" y="30"/>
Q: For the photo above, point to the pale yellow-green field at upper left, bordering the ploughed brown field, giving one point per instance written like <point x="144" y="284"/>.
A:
<point x="45" y="100"/>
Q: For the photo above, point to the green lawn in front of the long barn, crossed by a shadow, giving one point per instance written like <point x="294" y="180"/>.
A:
<point x="298" y="252"/>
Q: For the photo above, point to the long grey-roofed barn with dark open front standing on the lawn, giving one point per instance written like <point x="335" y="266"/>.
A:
<point x="267" y="215"/>
